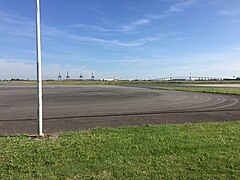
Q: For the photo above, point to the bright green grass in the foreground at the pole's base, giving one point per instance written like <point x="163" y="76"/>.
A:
<point x="207" y="150"/>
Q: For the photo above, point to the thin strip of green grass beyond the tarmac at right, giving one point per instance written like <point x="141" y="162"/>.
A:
<point x="204" y="90"/>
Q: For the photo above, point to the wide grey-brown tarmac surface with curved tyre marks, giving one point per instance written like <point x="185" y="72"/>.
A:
<point x="77" y="107"/>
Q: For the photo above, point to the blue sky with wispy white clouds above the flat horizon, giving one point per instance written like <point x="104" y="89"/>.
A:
<point x="123" y="39"/>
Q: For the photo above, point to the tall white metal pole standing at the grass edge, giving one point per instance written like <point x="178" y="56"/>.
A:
<point x="39" y="71"/>
